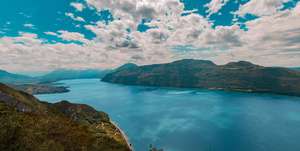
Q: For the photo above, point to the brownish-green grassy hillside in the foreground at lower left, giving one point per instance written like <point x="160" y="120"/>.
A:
<point x="29" y="124"/>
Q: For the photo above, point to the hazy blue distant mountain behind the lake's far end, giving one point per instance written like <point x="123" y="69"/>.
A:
<point x="67" y="74"/>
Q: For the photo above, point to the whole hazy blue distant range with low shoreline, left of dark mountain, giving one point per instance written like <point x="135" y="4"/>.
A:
<point x="43" y="84"/>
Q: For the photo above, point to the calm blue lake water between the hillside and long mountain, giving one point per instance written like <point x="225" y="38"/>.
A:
<point x="193" y="120"/>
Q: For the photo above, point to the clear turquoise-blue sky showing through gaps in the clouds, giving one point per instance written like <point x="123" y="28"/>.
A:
<point x="48" y="16"/>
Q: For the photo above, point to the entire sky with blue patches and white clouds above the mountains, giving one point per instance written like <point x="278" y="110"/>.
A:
<point x="45" y="35"/>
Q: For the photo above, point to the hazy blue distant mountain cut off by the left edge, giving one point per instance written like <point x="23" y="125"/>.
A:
<point x="6" y="77"/>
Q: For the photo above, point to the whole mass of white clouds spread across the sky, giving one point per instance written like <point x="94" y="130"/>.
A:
<point x="272" y="39"/>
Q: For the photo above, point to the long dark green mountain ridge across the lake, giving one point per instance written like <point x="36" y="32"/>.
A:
<point x="235" y="76"/>
